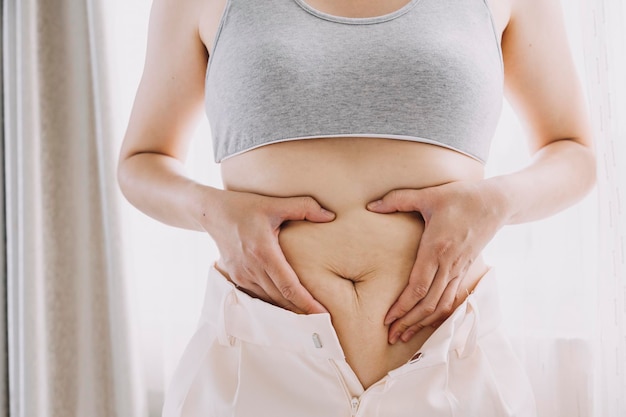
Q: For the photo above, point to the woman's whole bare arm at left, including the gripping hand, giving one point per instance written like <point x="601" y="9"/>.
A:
<point x="151" y="170"/>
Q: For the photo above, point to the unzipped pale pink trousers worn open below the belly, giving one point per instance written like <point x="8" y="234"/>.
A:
<point x="250" y="358"/>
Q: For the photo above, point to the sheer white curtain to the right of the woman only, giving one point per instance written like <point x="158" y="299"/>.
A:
<point x="563" y="279"/>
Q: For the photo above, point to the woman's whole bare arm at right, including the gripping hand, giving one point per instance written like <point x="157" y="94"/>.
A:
<point x="462" y="217"/>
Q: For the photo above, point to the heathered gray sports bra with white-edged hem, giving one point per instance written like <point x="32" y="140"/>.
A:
<point x="281" y="70"/>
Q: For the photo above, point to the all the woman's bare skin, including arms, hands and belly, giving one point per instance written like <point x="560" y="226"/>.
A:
<point x="398" y="247"/>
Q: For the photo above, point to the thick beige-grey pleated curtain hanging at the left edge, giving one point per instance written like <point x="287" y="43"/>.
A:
<point x="70" y="348"/>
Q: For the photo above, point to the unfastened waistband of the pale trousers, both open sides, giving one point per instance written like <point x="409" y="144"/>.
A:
<point x="237" y="316"/>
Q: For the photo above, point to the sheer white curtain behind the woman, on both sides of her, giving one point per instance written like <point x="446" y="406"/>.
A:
<point x="561" y="279"/>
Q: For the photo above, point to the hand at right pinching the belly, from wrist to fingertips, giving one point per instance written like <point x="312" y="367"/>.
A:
<point x="460" y="219"/>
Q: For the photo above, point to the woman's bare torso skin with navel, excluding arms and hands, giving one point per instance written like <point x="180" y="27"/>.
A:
<point x="357" y="265"/>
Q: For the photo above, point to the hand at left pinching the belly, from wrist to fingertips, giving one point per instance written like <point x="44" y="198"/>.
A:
<point x="245" y="227"/>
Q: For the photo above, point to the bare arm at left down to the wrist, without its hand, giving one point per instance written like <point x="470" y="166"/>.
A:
<point x="167" y="107"/>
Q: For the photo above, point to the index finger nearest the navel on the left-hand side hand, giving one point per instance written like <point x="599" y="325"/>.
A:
<point x="288" y="285"/>
